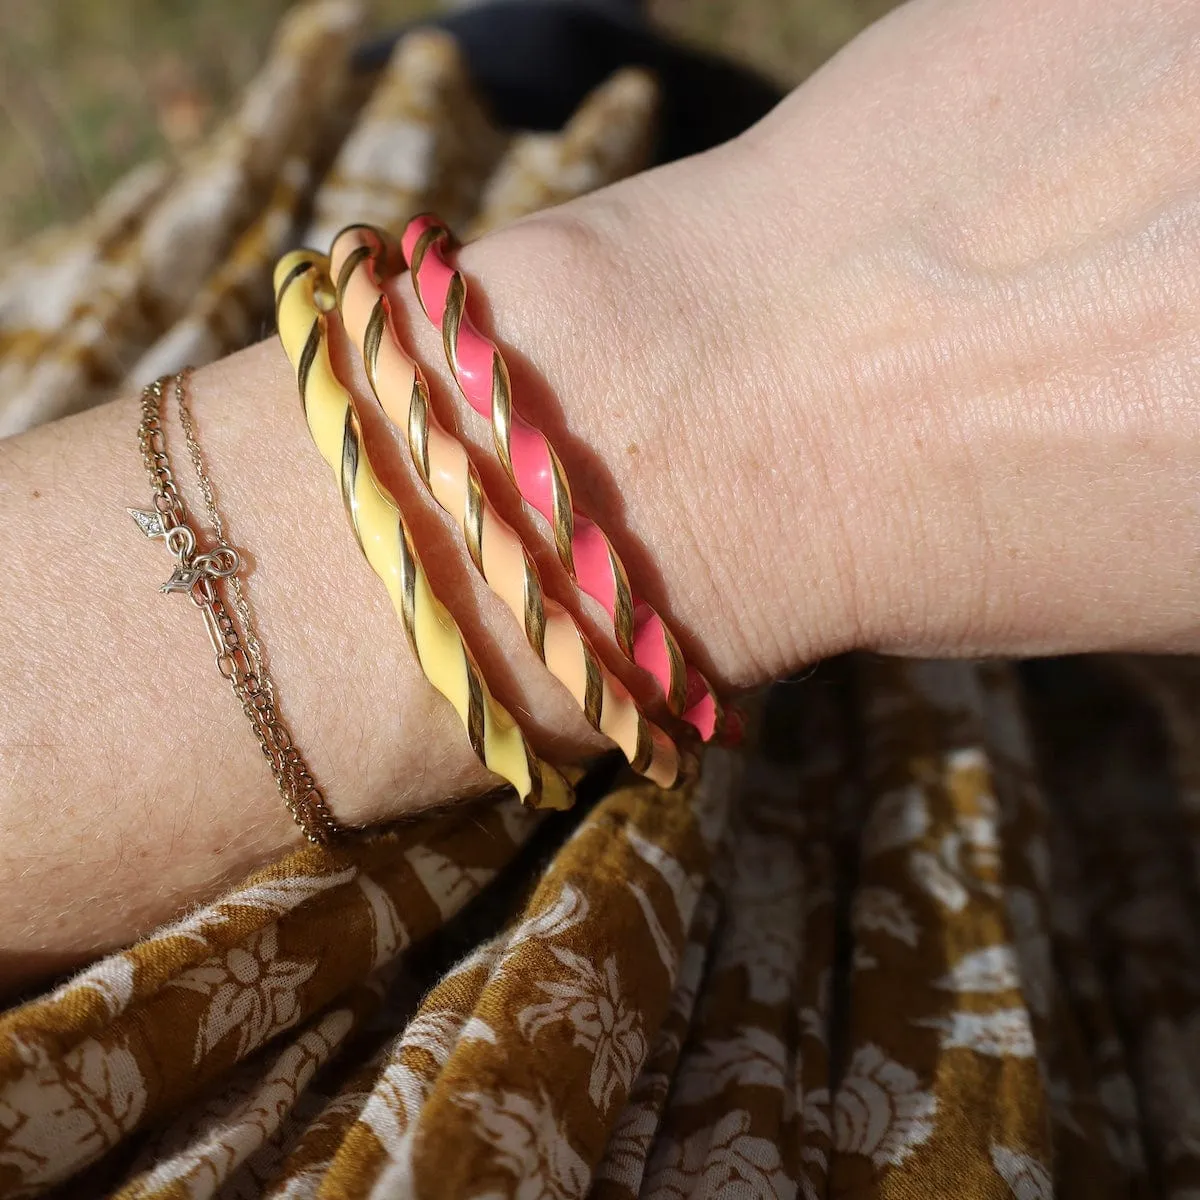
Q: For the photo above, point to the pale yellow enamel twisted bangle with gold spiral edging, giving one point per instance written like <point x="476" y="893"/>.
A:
<point x="304" y="297"/>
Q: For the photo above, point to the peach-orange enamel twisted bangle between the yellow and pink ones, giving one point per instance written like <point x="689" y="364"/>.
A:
<point x="361" y="261"/>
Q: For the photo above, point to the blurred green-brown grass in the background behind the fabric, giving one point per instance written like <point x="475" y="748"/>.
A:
<point x="89" y="88"/>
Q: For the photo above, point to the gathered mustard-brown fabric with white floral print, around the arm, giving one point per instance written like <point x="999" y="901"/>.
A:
<point x="934" y="931"/>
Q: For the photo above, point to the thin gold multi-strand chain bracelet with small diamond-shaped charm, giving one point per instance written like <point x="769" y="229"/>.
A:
<point x="203" y="577"/>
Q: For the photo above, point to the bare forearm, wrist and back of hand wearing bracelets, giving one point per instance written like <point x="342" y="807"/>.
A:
<point x="911" y="367"/>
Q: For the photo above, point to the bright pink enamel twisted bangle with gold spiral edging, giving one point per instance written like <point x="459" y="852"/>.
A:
<point x="536" y="471"/>
